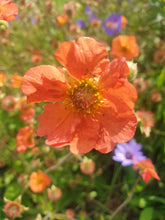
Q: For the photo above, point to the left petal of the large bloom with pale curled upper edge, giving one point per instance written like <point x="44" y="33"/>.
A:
<point x="44" y="83"/>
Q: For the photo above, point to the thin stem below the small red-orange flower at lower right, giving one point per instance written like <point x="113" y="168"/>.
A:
<point x="119" y="208"/>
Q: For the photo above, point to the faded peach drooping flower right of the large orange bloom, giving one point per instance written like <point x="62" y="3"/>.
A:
<point x="147" y="121"/>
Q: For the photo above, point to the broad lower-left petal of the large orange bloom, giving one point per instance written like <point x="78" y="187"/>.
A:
<point x="58" y="123"/>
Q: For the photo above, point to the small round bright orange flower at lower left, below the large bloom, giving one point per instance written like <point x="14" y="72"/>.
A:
<point x="39" y="181"/>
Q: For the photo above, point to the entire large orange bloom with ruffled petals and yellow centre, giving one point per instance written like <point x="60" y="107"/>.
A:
<point x="92" y="100"/>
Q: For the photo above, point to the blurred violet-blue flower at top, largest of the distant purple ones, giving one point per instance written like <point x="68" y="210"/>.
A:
<point x="113" y="24"/>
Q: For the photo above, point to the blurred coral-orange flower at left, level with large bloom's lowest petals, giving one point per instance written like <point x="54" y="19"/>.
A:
<point x="25" y="138"/>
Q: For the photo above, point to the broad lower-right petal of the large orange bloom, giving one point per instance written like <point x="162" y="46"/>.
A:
<point x="118" y="120"/>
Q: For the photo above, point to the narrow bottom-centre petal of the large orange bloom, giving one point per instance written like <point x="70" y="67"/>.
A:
<point x="85" y="137"/>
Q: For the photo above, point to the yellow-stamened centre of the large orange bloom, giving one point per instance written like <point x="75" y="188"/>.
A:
<point x="84" y="96"/>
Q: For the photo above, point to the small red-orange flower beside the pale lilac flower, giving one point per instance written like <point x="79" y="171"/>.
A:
<point x="146" y="169"/>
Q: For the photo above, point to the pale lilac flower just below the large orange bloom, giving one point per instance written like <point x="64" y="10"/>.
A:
<point x="125" y="152"/>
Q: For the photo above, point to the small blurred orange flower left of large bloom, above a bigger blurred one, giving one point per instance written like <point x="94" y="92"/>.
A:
<point x="27" y="110"/>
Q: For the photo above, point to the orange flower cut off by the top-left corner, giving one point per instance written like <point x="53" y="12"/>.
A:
<point x="8" y="10"/>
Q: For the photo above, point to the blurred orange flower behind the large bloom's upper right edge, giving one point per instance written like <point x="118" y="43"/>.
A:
<point x="124" y="46"/>
